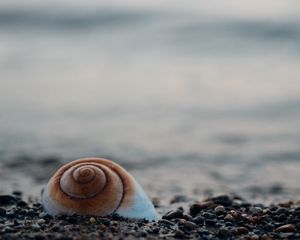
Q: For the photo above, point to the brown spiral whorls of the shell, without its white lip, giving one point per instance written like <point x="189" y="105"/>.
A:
<point x="93" y="185"/>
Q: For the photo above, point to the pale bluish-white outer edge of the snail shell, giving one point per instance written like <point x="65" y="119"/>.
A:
<point x="140" y="208"/>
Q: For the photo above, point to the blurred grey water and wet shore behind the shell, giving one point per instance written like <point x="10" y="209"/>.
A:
<point x="198" y="96"/>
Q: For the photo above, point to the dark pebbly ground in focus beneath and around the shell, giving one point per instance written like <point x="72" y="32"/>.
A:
<point x="218" y="217"/>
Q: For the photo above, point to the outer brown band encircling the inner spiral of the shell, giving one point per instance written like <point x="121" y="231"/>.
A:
<point x="117" y="192"/>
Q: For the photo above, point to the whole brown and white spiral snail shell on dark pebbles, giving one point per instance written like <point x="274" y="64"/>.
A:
<point x="96" y="186"/>
